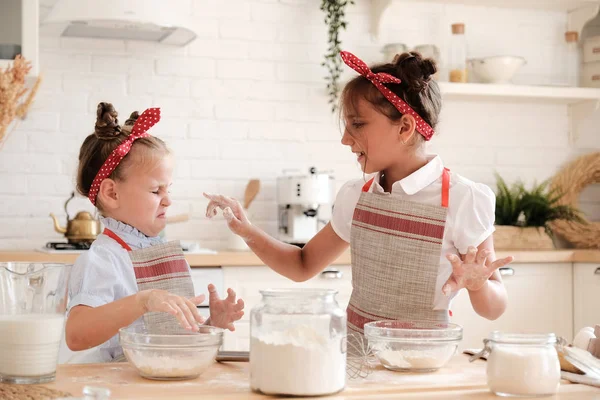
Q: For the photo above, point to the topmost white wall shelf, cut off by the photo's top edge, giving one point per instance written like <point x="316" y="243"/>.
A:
<point x="579" y="11"/>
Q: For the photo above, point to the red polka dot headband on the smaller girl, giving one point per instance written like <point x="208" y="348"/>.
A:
<point x="144" y="122"/>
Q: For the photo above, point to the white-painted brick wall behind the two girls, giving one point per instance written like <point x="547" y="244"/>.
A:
<point x="247" y="99"/>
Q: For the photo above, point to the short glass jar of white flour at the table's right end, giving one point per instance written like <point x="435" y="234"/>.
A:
<point x="522" y="364"/>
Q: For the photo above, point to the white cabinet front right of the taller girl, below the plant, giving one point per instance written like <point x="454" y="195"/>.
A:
<point x="540" y="300"/>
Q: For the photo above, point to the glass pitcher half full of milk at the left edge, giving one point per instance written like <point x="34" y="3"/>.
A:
<point x="33" y="300"/>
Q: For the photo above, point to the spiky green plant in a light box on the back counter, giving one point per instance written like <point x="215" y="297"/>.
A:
<point x="523" y="216"/>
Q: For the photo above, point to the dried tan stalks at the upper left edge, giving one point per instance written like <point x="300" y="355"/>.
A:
<point x="12" y="82"/>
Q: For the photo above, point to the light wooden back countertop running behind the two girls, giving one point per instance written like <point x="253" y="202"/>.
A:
<point x="245" y="258"/>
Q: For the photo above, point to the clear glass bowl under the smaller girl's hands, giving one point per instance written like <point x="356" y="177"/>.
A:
<point x="170" y="357"/>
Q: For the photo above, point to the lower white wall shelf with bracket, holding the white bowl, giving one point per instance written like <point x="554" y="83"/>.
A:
<point x="581" y="101"/>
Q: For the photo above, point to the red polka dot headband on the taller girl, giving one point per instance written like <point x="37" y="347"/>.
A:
<point x="378" y="80"/>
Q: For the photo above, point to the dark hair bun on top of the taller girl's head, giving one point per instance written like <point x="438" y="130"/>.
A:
<point x="414" y="70"/>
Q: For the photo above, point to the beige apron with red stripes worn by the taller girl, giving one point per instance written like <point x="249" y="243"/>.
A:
<point x="395" y="247"/>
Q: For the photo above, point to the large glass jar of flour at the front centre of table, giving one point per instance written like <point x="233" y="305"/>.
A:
<point x="298" y="343"/>
